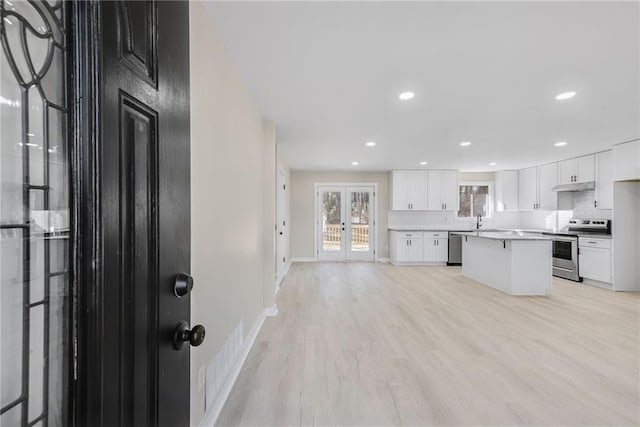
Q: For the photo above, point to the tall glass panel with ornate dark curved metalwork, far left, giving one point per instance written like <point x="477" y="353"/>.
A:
<point x="34" y="213"/>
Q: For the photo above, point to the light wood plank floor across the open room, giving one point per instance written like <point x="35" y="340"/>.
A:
<point x="375" y="344"/>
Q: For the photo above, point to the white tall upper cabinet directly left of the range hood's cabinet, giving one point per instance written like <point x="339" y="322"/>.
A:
<point x="534" y="187"/>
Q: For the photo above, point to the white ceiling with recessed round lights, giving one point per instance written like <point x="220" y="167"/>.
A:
<point x="329" y="74"/>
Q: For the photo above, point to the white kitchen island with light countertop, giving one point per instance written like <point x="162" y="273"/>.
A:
<point x="514" y="262"/>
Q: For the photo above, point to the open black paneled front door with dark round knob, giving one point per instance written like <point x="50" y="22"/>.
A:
<point x="133" y="374"/>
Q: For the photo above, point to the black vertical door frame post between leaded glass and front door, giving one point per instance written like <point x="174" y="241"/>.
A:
<point x="85" y="230"/>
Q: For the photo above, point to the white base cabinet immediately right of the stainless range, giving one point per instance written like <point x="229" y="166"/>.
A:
<point x="594" y="259"/>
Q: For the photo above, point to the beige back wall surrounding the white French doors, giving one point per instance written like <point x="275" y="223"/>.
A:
<point x="302" y="205"/>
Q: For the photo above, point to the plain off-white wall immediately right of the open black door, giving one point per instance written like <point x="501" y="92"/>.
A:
<point x="231" y="158"/>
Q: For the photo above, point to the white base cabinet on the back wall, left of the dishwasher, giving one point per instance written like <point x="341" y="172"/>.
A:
<point x="419" y="247"/>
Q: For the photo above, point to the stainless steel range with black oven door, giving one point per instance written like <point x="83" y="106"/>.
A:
<point x="565" y="244"/>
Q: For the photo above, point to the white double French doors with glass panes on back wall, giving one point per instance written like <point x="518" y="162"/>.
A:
<point x="345" y="219"/>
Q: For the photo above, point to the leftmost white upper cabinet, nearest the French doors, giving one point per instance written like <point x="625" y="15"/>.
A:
<point x="409" y="190"/>
